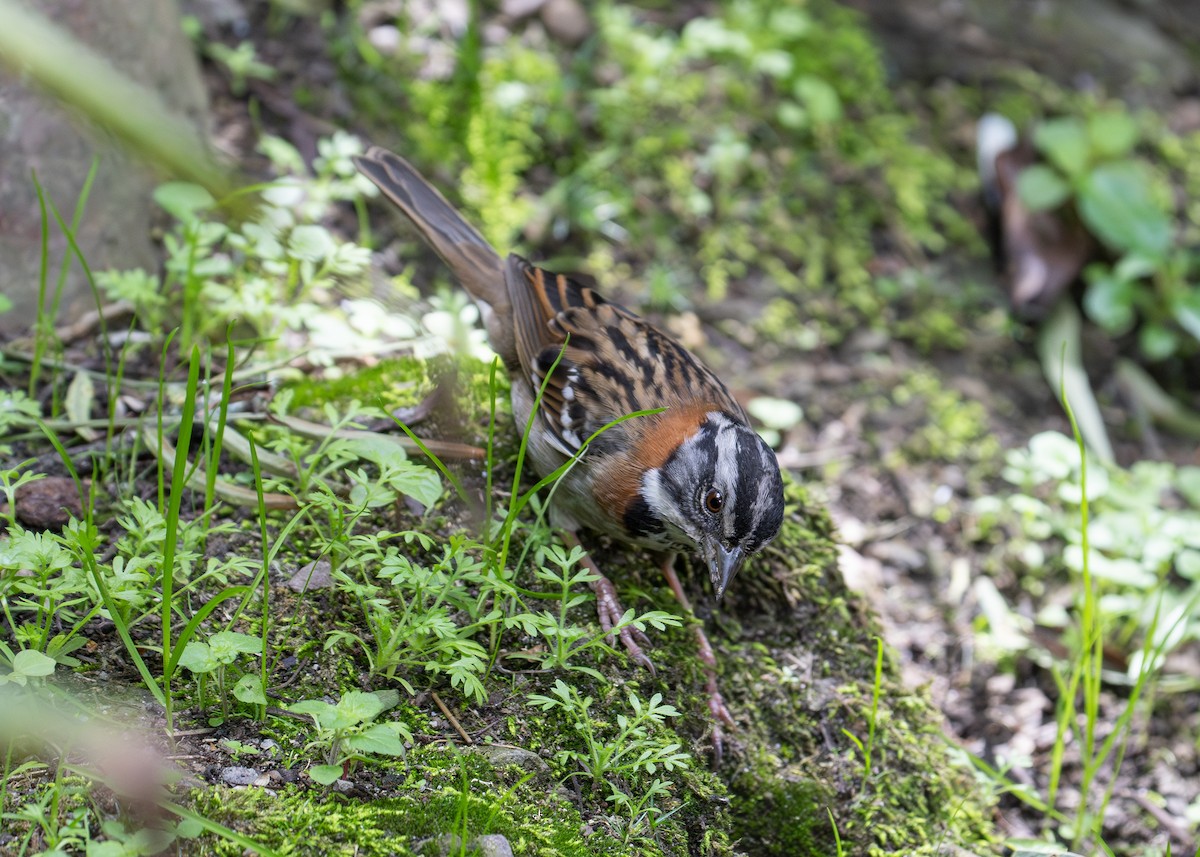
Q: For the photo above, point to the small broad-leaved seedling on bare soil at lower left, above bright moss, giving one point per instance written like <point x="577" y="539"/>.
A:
<point x="346" y="733"/>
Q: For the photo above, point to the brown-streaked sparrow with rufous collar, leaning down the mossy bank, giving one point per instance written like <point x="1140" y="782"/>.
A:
<point x="693" y="477"/>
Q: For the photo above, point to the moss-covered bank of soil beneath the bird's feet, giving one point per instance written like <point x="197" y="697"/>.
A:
<point x="797" y="655"/>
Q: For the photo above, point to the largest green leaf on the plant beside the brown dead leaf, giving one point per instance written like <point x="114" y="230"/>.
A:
<point x="1117" y="206"/>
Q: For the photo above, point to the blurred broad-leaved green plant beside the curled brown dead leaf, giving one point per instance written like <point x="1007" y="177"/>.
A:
<point x="1091" y="166"/>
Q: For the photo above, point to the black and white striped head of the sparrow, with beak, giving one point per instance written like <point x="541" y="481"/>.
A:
<point x="722" y="492"/>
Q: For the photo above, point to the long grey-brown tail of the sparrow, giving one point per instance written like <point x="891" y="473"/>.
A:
<point x="473" y="261"/>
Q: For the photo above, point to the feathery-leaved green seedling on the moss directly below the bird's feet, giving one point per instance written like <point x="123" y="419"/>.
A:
<point x="620" y="763"/>
